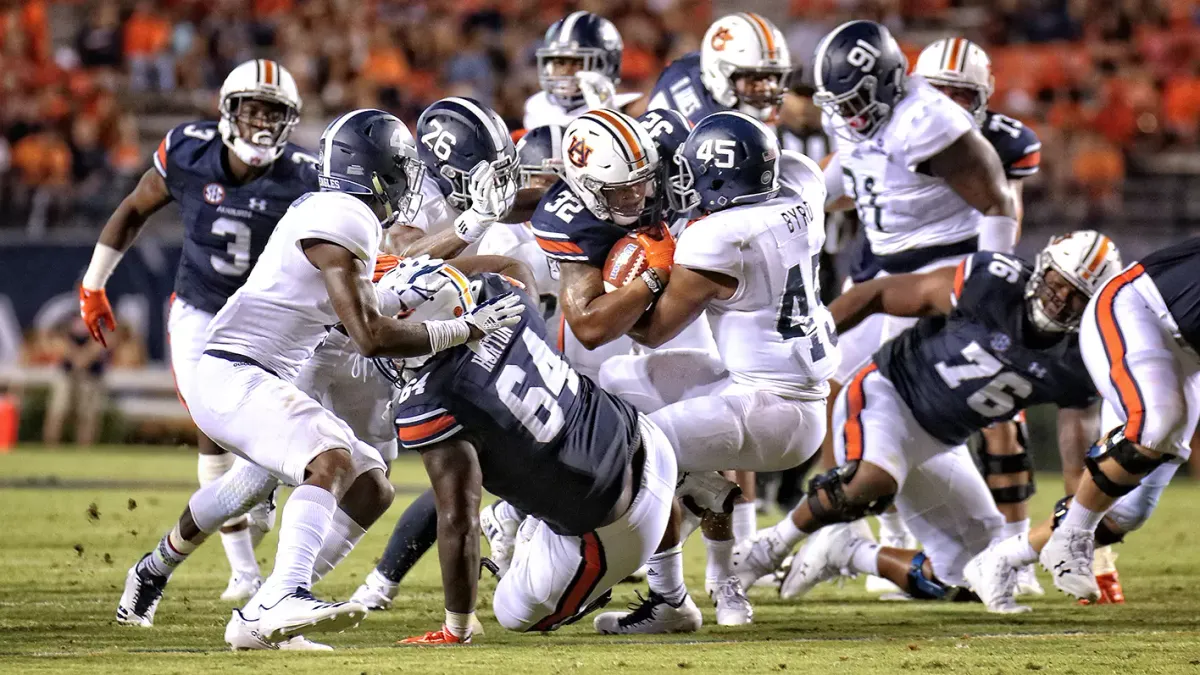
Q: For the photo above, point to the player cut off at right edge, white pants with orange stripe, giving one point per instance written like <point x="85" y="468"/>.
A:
<point x="1141" y="337"/>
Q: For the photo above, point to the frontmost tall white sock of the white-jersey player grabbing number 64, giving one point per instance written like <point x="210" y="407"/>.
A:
<point x="307" y="521"/>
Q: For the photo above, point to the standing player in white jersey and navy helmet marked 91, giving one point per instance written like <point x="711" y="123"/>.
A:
<point x="929" y="189"/>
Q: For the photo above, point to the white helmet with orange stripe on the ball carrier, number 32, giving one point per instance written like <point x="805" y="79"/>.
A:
<point x="613" y="165"/>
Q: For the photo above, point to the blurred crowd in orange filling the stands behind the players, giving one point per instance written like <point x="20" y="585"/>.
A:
<point x="1113" y="87"/>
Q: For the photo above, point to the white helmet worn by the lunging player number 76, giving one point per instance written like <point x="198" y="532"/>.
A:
<point x="1087" y="260"/>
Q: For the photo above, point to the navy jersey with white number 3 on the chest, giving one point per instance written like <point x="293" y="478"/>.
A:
<point x="226" y="226"/>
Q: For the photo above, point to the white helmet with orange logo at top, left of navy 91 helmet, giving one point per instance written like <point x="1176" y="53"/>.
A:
<point x="746" y="46"/>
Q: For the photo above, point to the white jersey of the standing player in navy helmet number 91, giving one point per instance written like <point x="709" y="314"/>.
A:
<point x="901" y="207"/>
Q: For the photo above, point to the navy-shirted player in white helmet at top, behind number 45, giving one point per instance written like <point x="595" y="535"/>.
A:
<point x="743" y="65"/>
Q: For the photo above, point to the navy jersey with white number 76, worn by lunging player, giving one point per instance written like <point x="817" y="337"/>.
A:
<point x="983" y="363"/>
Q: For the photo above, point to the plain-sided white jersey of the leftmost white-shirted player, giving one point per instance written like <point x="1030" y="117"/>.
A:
<point x="284" y="310"/>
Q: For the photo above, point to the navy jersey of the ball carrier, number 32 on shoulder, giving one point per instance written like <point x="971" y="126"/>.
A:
<point x="568" y="232"/>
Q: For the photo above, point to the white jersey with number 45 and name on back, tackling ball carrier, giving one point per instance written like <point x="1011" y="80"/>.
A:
<point x="775" y="333"/>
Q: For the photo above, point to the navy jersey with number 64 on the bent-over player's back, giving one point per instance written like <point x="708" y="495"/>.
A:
<point x="550" y="441"/>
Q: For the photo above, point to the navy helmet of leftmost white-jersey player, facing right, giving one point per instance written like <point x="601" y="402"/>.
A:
<point x="371" y="154"/>
